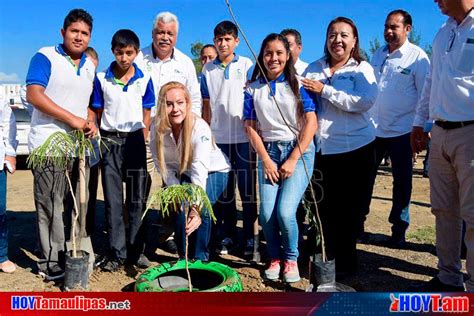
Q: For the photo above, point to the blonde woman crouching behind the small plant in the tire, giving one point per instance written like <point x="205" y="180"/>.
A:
<point x="183" y="151"/>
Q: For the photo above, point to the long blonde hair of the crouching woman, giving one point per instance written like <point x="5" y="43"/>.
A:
<point x="163" y="127"/>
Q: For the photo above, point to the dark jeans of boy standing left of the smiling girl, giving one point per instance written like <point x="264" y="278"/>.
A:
<point x="241" y="159"/>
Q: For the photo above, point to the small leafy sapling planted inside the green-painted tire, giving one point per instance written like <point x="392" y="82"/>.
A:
<point x="181" y="198"/>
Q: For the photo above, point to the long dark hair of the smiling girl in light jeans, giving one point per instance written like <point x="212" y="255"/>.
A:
<point x="289" y="71"/>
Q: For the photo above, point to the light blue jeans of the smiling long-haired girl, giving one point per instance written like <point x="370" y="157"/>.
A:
<point x="278" y="202"/>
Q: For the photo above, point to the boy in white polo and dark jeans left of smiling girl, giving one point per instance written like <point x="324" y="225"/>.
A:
<point x="222" y="89"/>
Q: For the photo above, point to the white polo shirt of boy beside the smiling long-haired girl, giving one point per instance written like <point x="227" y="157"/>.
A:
<point x="224" y="87"/>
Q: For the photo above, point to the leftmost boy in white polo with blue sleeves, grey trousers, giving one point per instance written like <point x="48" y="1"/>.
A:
<point x="59" y="85"/>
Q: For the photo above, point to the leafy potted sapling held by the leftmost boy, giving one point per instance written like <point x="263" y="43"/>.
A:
<point x="59" y="150"/>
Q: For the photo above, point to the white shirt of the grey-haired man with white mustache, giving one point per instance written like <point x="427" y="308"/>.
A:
<point x="178" y="67"/>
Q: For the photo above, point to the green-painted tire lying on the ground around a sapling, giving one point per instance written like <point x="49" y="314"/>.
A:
<point x="206" y="277"/>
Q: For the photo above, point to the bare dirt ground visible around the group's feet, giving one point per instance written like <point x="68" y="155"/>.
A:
<point x="381" y="268"/>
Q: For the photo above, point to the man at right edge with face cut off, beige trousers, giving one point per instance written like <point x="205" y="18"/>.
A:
<point x="449" y="95"/>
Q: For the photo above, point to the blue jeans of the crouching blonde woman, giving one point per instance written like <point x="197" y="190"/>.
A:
<point x="198" y="247"/>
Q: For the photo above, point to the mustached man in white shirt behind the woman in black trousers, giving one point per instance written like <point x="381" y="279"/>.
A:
<point x="400" y="68"/>
